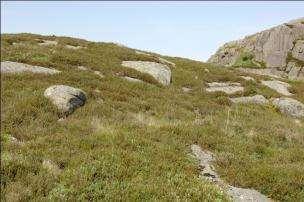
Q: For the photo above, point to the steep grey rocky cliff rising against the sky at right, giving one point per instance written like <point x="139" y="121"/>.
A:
<point x="272" y="48"/>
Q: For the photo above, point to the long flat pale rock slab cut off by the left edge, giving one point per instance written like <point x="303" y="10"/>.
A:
<point x="16" y="67"/>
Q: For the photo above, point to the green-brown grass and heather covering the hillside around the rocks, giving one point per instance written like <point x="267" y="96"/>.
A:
<point x="130" y="141"/>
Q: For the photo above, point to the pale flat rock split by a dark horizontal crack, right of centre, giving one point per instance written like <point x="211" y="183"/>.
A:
<point x="228" y="87"/>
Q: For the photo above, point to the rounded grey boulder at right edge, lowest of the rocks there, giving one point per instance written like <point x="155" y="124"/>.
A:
<point x="289" y="106"/>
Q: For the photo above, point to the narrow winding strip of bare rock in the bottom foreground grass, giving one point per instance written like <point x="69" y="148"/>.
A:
<point x="208" y="172"/>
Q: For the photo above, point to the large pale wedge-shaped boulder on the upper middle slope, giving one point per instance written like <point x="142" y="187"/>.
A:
<point x="160" y="72"/>
